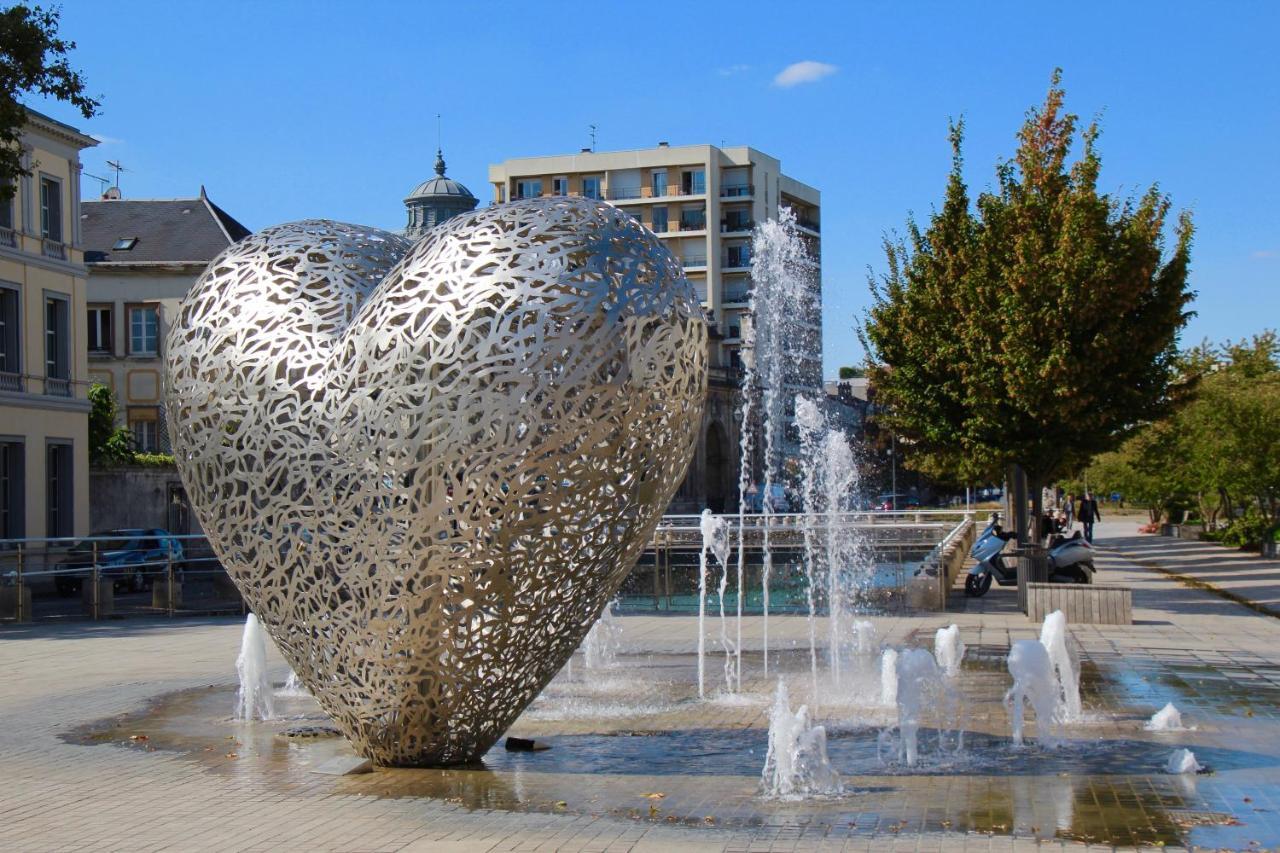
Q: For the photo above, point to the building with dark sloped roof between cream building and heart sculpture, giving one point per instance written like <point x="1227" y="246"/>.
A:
<point x="143" y="257"/>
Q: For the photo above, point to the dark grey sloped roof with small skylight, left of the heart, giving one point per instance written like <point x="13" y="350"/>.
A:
<point x="173" y="231"/>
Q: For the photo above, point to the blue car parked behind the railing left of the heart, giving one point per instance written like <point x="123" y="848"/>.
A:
<point x="131" y="559"/>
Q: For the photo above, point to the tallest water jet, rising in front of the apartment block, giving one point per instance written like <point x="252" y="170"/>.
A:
<point x="781" y="344"/>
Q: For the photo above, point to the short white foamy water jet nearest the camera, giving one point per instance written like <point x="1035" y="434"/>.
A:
<point x="797" y="763"/>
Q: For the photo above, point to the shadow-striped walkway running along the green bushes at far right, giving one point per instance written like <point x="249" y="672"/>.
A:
<point x="1240" y="576"/>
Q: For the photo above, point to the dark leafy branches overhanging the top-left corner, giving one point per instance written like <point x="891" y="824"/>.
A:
<point x="33" y="62"/>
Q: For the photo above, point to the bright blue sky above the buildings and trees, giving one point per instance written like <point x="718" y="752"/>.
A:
<point x="322" y="110"/>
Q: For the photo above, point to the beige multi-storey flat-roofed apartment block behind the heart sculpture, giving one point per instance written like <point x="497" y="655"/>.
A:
<point x="703" y="202"/>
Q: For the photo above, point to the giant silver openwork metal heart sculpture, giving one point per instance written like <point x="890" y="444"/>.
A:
<point x="428" y="468"/>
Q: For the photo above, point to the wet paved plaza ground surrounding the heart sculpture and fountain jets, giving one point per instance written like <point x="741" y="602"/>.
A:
<point x="118" y="736"/>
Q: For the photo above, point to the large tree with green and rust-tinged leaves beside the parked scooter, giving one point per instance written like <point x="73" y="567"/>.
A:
<point x="1036" y="327"/>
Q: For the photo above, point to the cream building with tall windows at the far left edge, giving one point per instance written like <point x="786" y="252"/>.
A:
<point x="44" y="364"/>
